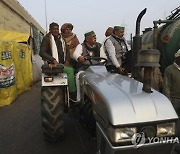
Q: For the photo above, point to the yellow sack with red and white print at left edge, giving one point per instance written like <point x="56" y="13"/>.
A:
<point x="8" y="92"/>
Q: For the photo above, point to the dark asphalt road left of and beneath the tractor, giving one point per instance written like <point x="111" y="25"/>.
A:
<point x="21" y="131"/>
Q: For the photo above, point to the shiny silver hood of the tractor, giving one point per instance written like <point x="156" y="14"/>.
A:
<point x="120" y="100"/>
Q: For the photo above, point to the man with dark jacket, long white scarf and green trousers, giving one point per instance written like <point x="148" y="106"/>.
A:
<point x="54" y="50"/>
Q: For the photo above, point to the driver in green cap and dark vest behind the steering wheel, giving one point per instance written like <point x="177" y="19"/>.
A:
<point x="89" y="48"/>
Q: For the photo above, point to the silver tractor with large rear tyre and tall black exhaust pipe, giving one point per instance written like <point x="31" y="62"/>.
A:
<point x="127" y="115"/>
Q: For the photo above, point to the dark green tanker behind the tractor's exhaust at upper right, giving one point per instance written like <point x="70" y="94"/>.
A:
<point x="165" y="38"/>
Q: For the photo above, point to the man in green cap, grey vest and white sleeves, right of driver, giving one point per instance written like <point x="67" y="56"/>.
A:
<point x="115" y="48"/>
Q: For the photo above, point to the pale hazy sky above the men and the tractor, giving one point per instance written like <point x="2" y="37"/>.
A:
<point x="98" y="15"/>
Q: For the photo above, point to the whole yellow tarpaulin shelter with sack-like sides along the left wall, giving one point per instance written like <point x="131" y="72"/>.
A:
<point x="15" y="66"/>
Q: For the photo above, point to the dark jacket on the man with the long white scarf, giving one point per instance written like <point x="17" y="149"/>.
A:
<point x="46" y="53"/>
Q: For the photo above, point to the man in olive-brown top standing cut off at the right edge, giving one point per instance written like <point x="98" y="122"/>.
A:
<point x="171" y="85"/>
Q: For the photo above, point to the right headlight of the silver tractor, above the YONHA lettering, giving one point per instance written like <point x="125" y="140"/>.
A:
<point x="167" y="129"/>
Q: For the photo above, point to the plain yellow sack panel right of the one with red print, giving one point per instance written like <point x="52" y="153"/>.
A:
<point x="22" y="59"/>
